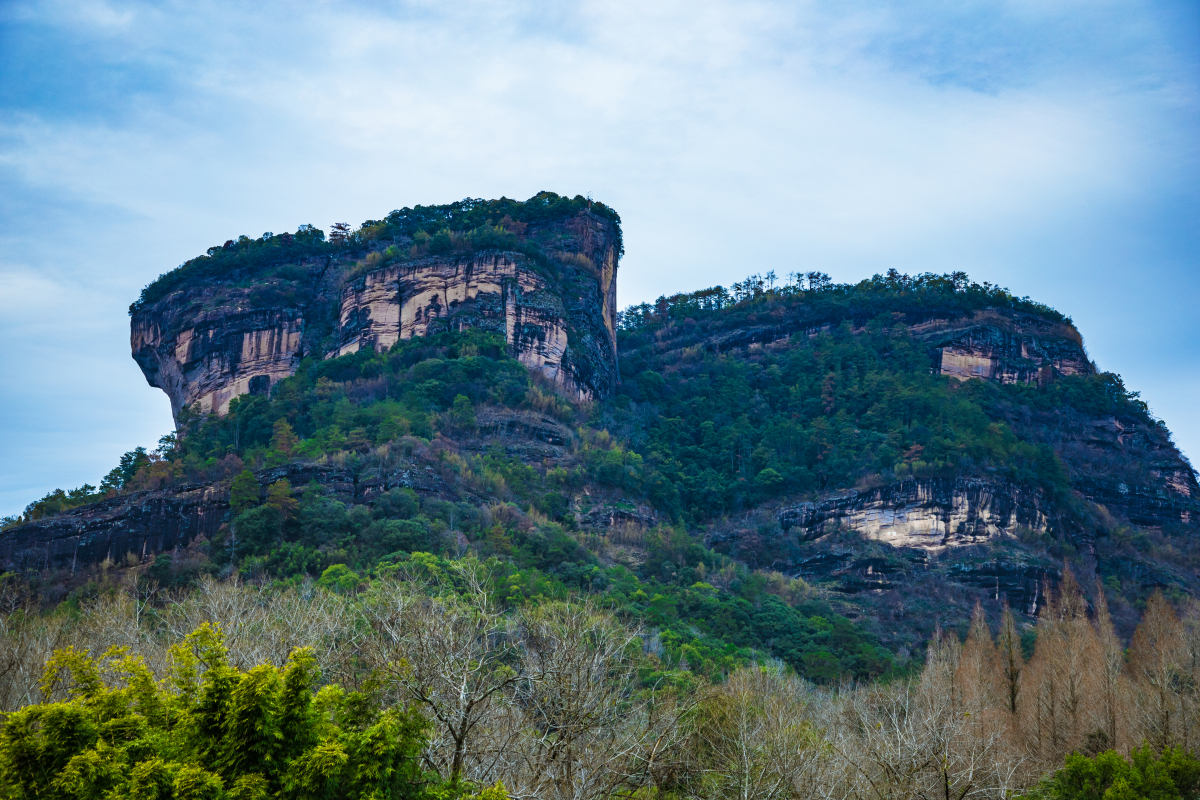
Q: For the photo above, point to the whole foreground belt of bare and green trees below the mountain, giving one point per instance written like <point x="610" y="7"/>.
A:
<point x="421" y="685"/>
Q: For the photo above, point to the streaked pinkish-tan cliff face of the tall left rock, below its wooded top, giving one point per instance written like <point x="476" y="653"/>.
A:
<point x="554" y="299"/>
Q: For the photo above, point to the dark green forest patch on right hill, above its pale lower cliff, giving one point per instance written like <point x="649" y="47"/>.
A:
<point x="730" y="431"/>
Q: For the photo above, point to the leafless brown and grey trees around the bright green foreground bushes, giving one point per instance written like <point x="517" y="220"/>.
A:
<point x="553" y="700"/>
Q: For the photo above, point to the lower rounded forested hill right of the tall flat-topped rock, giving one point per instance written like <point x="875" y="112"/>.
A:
<point x="911" y="444"/>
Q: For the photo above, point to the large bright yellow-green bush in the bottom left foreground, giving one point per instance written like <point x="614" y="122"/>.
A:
<point x="212" y="732"/>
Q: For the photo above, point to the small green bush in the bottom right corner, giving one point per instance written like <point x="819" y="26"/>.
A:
<point x="1174" y="775"/>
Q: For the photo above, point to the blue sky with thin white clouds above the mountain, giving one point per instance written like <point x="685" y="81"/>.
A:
<point x="1049" y="147"/>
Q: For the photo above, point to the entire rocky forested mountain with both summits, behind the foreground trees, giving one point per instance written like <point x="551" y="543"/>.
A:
<point x="824" y="473"/>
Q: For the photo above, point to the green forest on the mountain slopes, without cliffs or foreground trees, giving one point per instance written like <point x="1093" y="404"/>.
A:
<point x="695" y="432"/>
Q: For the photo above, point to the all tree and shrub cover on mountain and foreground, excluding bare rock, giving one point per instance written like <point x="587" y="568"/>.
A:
<point x="310" y="647"/>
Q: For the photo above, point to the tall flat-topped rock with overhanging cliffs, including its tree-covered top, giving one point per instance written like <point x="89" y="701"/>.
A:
<point x="542" y="273"/>
